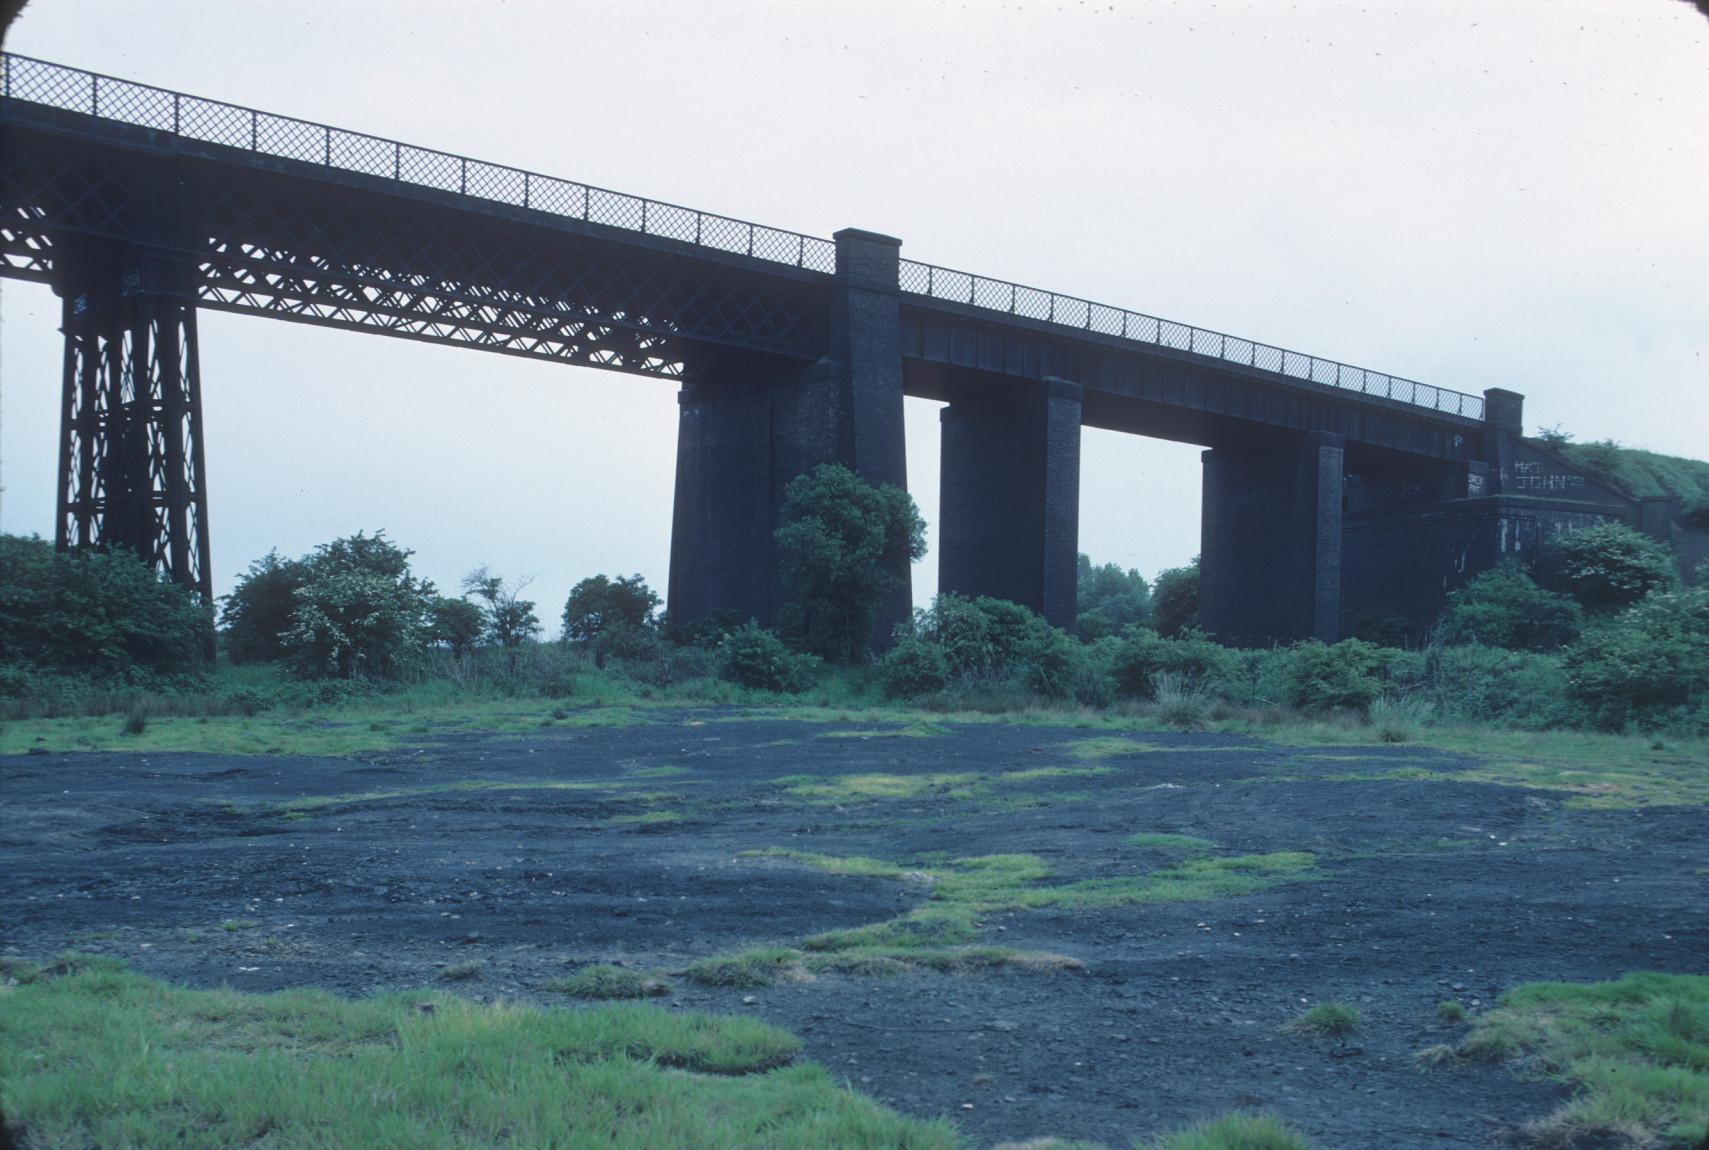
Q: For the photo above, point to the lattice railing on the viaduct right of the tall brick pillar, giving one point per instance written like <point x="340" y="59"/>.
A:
<point x="965" y="288"/>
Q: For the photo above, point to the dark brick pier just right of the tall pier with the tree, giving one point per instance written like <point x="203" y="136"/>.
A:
<point x="1009" y="522"/>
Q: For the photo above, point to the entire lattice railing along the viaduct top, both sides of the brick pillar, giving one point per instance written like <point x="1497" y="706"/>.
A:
<point x="235" y="126"/>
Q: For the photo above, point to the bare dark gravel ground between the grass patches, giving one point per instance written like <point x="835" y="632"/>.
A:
<point x="1430" y="893"/>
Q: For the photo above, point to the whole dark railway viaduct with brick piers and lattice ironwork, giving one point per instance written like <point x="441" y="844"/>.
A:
<point x="1329" y="490"/>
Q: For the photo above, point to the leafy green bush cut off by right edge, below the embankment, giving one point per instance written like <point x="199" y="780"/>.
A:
<point x="1653" y="659"/>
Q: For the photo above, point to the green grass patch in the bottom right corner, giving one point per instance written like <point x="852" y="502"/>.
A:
<point x="1636" y="1050"/>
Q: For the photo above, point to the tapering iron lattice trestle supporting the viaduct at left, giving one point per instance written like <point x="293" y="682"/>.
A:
<point x="131" y="430"/>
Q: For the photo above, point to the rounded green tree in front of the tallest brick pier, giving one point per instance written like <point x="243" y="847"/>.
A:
<point x="842" y="544"/>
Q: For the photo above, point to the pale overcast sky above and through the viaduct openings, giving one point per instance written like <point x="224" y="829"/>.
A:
<point x="1460" y="192"/>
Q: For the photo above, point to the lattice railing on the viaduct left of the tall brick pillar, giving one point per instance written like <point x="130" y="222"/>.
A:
<point x="233" y="126"/>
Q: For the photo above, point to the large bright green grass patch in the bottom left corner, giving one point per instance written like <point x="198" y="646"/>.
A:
<point x="107" y="1059"/>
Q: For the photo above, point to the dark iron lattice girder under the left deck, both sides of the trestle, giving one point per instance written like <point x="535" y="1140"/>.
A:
<point x="360" y="259"/>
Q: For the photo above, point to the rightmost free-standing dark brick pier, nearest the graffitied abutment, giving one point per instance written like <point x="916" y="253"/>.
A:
<point x="1272" y="541"/>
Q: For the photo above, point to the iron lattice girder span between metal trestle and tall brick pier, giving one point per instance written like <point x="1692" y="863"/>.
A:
<point x="346" y="262"/>
